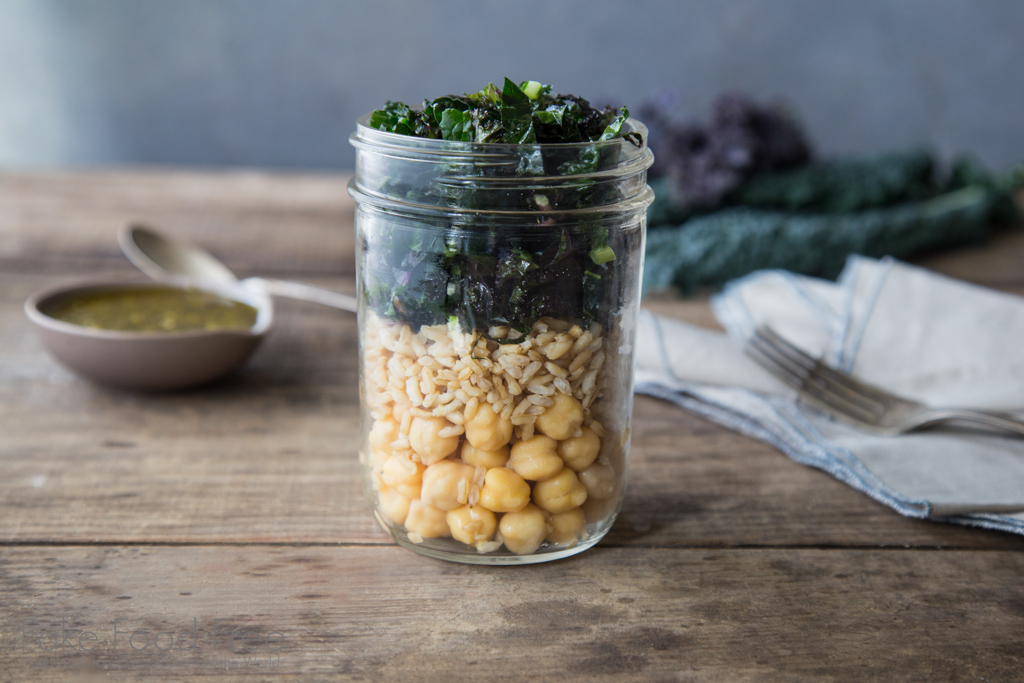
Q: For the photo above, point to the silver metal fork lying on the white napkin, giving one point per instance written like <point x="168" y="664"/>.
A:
<point x="857" y="403"/>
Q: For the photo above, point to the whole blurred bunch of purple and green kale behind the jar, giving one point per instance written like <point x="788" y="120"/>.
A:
<point x="742" y="193"/>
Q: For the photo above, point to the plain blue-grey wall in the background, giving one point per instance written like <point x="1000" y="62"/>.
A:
<point x="279" y="83"/>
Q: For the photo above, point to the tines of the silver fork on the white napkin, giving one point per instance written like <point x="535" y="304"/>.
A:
<point x="801" y="372"/>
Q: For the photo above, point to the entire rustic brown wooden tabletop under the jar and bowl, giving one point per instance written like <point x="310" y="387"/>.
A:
<point x="223" y="532"/>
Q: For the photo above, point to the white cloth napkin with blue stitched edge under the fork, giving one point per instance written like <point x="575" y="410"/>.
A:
<point x="902" y="328"/>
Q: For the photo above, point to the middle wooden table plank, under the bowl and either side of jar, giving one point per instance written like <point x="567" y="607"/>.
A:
<point x="270" y="456"/>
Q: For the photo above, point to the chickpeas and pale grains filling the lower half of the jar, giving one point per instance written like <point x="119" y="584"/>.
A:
<point x="487" y="444"/>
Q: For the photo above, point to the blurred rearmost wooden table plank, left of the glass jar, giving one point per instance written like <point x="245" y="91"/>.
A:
<point x="257" y="223"/>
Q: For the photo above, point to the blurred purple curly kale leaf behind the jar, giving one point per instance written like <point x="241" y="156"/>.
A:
<point x="706" y="161"/>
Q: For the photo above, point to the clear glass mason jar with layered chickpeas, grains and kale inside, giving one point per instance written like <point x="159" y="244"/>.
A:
<point x="499" y="290"/>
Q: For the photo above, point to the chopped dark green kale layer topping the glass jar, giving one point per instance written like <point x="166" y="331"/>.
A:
<point x="482" y="271"/>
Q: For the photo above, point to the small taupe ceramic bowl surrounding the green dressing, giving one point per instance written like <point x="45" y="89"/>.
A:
<point x="149" y="361"/>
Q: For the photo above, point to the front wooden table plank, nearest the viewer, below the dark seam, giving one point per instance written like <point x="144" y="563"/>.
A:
<point x="388" y="615"/>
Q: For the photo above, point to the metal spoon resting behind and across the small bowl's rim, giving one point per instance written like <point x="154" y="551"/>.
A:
<point x="159" y="257"/>
